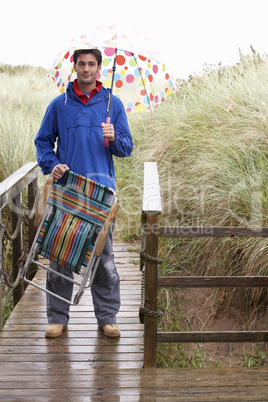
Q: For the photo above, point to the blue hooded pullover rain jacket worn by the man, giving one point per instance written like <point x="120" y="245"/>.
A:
<point x="77" y="130"/>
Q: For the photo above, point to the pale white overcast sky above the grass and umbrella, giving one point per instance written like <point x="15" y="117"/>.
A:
<point x="189" y="34"/>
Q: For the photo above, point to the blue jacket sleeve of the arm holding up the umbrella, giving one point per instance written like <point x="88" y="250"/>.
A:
<point x="123" y="144"/>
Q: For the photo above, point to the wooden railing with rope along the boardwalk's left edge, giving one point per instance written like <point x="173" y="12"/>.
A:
<point x="11" y="197"/>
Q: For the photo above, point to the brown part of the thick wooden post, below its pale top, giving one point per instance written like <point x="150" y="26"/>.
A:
<point x="150" y="323"/>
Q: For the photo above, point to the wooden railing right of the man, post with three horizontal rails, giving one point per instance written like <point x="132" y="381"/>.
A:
<point x="151" y="232"/>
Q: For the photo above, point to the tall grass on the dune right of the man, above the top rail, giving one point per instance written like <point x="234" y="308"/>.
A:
<point x="210" y="143"/>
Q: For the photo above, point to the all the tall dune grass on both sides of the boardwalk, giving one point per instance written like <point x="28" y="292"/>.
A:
<point x="210" y="143"/>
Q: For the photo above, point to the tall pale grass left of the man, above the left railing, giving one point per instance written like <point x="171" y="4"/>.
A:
<point x="24" y="94"/>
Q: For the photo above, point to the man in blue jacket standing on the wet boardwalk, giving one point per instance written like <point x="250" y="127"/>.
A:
<point x="75" y="121"/>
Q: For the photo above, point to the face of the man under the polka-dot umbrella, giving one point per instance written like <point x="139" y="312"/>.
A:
<point x="86" y="69"/>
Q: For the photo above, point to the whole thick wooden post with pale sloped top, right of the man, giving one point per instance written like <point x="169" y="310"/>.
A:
<point x="151" y="210"/>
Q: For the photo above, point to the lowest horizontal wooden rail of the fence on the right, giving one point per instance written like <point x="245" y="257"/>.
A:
<point x="213" y="336"/>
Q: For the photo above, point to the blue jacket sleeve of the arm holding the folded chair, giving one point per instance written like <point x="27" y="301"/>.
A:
<point x="45" y="140"/>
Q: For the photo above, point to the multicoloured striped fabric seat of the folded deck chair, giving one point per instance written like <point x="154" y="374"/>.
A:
<point x="76" y="213"/>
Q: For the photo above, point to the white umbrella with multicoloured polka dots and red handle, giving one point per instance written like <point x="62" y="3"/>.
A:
<point x="130" y="67"/>
